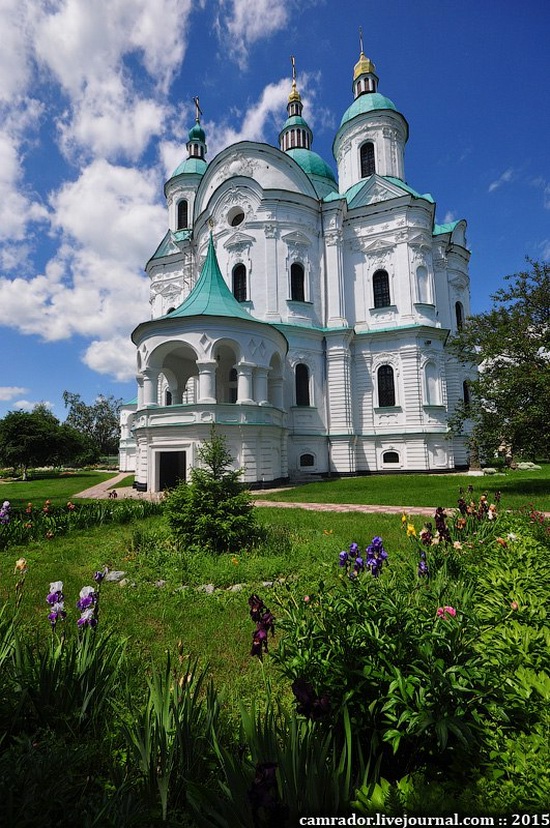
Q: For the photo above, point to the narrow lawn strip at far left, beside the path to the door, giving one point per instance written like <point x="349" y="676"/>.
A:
<point x="59" y="488"/>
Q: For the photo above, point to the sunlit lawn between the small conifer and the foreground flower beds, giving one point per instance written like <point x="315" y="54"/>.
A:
<point x="155" y="616"/>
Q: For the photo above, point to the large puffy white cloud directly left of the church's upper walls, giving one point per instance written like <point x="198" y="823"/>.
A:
<point x="108" y="222"/>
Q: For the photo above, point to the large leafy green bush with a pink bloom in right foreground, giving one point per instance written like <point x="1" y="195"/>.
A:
<point x="437" y="659"/>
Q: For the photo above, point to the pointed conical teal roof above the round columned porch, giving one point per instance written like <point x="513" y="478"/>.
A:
<point x="210" y="296"/>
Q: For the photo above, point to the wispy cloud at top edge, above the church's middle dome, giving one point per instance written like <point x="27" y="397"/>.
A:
<point x="243" y="23"/>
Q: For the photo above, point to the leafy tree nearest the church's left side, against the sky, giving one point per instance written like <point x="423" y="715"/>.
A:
<point x="100" y="422"/>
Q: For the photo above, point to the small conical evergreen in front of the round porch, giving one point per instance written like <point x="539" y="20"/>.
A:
<point x="213" y="513"/>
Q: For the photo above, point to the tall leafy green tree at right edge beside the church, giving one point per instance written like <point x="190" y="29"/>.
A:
<point x="510" y="398"/>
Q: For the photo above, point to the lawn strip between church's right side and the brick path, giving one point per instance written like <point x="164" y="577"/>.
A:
<point x="518" y="488"/>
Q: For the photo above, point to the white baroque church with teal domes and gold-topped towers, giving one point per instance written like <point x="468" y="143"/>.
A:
<point x="304" y="314"/>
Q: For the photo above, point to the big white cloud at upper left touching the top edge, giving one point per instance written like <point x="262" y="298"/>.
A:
<point x="112" y="112"/>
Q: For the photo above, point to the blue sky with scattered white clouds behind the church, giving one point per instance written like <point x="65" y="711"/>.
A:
<point x="96" y="103"/>
